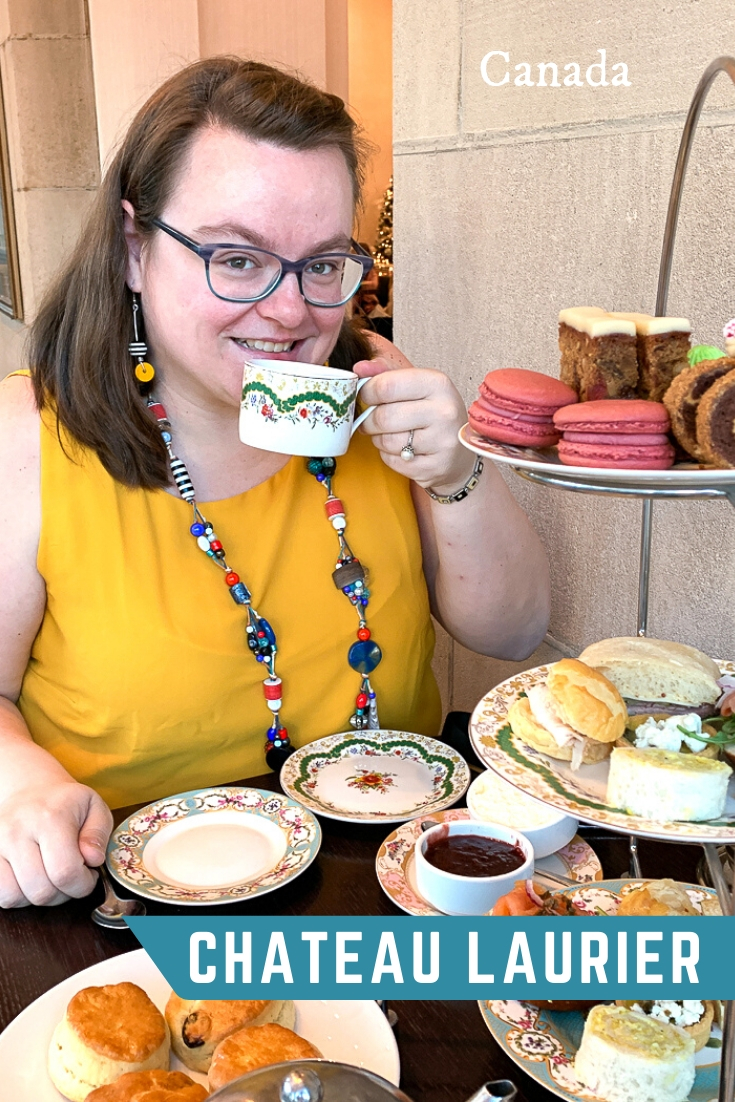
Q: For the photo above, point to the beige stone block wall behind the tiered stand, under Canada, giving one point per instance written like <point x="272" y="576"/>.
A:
<point x="513" y="203"/>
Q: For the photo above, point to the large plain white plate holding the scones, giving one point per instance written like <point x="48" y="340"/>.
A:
<point x="351" y="1032"/>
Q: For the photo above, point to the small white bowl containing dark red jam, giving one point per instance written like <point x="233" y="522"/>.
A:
<point x="455" y="894"/>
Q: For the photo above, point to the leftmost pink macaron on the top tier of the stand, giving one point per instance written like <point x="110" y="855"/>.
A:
<point x="517" y="407"/>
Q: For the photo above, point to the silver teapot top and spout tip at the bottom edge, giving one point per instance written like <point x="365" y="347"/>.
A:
<point x="326" y="1082"/>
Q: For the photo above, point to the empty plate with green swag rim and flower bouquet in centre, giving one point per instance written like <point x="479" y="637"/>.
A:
<point x="375" y="776"/>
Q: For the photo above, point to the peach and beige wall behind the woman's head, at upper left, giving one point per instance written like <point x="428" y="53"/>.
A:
<point x="74" y="73"/>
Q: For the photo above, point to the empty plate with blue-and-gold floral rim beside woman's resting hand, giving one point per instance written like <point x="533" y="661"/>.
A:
<point x="214" y="846"/>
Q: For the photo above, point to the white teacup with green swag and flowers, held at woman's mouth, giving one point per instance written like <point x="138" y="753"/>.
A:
<point x="299" y="409"/>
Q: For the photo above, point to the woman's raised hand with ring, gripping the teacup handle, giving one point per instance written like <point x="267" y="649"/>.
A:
<point x="410" y="399"/>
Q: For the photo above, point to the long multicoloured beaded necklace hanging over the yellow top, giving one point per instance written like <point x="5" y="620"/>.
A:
<point x="349" y="576"/>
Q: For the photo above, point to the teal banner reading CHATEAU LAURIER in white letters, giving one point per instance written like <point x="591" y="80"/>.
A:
<point x="448" y="958"/>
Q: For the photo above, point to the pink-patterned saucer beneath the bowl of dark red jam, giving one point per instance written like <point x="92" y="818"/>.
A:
<point x="396" y="870"/>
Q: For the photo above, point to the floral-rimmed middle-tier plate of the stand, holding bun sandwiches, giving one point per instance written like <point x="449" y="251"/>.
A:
<point x="582" y="794"/>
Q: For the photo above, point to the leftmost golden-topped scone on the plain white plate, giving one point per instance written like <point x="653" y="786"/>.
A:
<point x="106" y="1033"/>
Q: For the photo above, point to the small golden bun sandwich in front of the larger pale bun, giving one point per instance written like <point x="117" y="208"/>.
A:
<point x="576" y="716"/>
